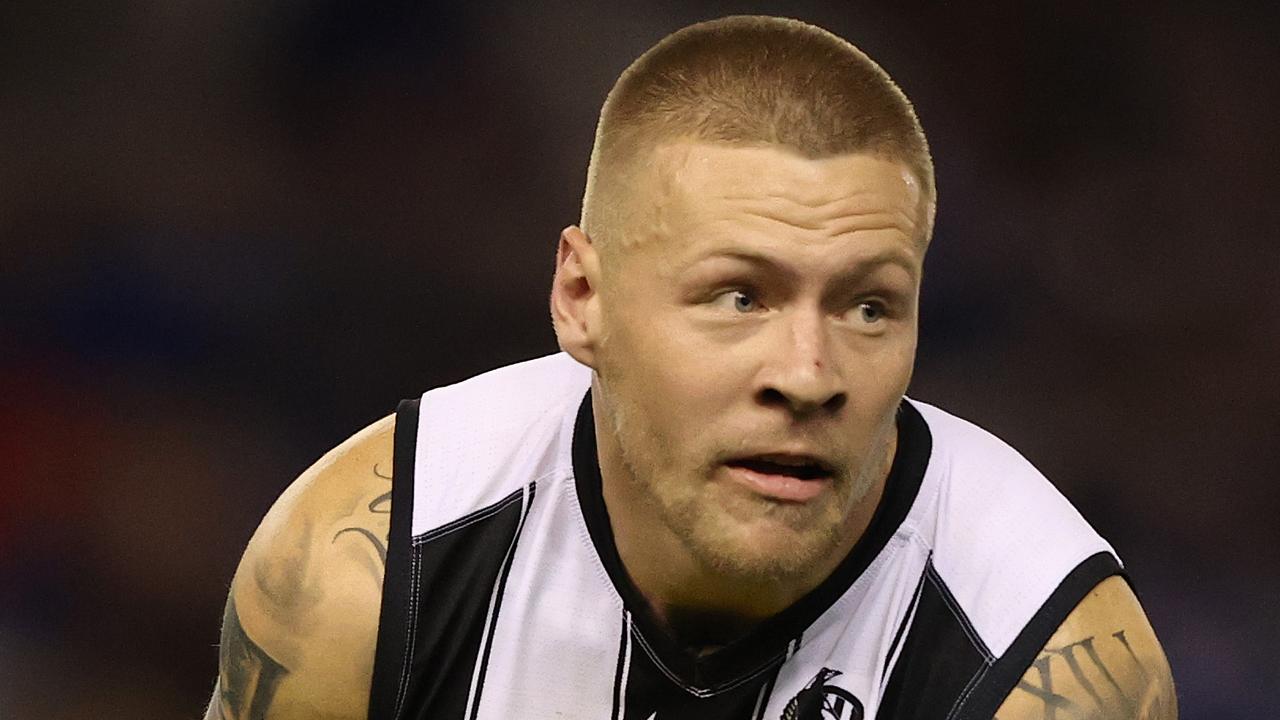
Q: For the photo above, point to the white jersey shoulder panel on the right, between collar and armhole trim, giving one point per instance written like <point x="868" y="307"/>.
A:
<point x="1013" y="554"/>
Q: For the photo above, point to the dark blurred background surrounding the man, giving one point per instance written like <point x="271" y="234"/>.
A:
<point x="232" y="234"/>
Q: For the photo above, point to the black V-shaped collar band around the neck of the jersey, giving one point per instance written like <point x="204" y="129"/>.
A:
<point x="766" y="645"/>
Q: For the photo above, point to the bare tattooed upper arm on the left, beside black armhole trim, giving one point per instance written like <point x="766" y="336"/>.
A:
<point x="301" y="621"/>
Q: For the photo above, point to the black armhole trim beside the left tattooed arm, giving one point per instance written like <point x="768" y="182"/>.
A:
<point x="391" y="658"/>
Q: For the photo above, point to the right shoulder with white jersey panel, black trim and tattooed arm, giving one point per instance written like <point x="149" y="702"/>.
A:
<point x="1041" y="591"/>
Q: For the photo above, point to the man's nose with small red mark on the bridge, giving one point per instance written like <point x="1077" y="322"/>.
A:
<point x="802" y="375"/>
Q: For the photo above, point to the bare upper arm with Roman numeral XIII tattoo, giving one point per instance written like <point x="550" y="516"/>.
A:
<point x="1104" y="663"/>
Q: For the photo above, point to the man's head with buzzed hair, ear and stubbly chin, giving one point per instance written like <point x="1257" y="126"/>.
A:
<point x="746" y="286"/>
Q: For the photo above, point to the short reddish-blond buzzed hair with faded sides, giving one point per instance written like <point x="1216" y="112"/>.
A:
<point x="749" y="81"/>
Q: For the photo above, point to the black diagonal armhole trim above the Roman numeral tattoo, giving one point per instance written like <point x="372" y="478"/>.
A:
<point x="999" y="682"/>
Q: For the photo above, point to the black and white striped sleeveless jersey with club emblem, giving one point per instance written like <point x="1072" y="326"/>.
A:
<point x="505" y="596"/>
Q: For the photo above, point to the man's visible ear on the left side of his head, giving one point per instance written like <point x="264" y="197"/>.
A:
<point x="575" y="297"/>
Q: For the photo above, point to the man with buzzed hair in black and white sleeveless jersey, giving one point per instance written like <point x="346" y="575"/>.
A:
<point x="716" y="502"/>
